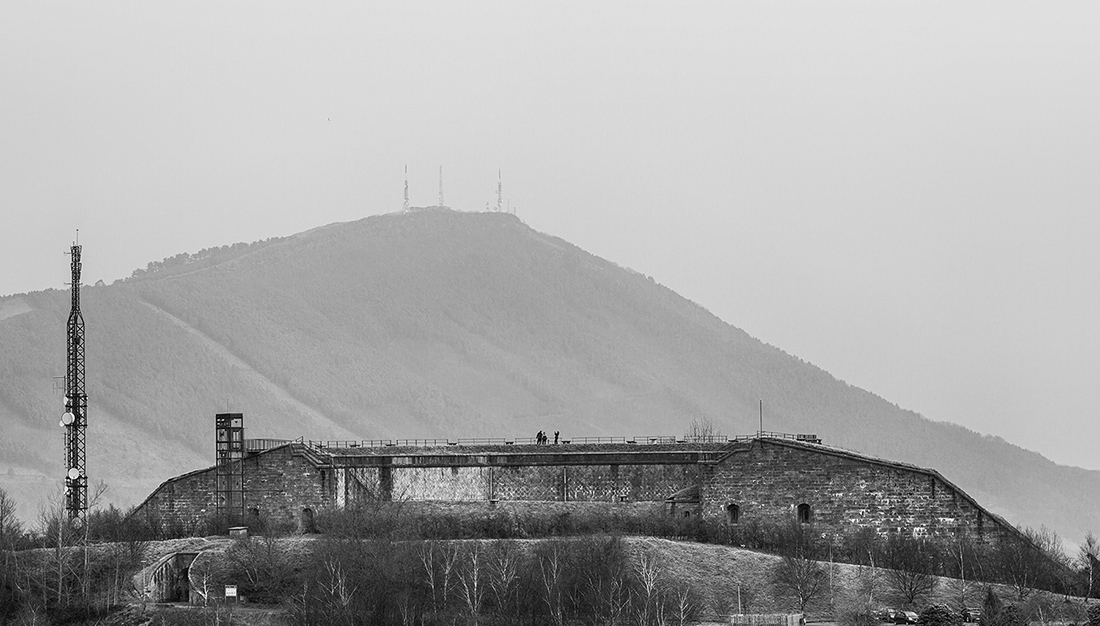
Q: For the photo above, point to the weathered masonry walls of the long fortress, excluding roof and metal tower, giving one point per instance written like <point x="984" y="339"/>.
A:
<point x="766" y="479"/>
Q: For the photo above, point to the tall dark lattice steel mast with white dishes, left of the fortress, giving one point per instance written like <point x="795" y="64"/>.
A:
<point x="75" y="420"/>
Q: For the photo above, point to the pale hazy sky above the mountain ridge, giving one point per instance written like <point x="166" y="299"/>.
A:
<point x="907" y="195"/>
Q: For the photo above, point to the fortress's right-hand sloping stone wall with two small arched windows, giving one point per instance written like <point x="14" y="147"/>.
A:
<point x="768" y="481"/>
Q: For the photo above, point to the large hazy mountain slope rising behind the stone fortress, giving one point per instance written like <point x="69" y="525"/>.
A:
<point x="442" y="324"/>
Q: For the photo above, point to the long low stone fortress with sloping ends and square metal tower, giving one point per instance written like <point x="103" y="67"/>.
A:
<point x="766" y="478"/>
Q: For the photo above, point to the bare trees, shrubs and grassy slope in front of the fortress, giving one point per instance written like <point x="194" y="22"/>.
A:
<point x="379" y="564"/>
